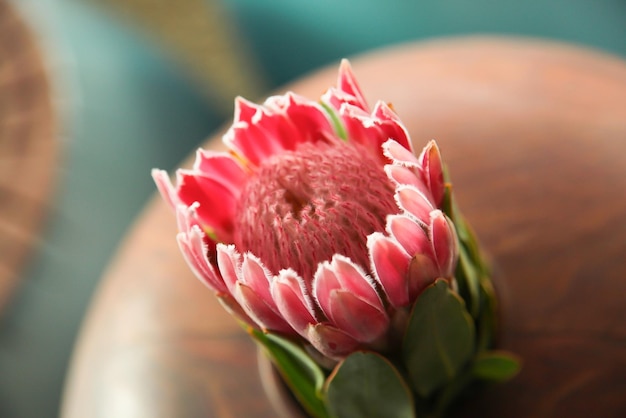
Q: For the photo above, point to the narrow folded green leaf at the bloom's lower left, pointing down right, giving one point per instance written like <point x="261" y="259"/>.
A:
<point x="302" y="375"/>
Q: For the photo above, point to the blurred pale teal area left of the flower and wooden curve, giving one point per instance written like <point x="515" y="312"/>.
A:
<point x="125" y="108"/>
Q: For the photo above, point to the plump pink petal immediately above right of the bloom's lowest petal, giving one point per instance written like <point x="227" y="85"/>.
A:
<point x="356" y="317"/>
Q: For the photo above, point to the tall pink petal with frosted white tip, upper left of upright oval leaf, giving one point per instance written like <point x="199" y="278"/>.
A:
<point x="390" y="264"/>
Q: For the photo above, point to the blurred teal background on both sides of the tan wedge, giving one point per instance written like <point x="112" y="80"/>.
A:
<point x="125" y="106"/>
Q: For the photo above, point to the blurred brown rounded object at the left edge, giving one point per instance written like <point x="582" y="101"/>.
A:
<point x="28" y="147"/>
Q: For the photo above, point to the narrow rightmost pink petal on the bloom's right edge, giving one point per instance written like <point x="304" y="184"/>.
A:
<point x="444" y="241"/>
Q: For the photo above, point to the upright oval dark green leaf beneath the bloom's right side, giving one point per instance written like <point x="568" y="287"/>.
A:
<point x="439" y="340"/>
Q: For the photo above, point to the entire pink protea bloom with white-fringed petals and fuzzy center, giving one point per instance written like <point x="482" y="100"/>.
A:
<point x="319" y="223"/>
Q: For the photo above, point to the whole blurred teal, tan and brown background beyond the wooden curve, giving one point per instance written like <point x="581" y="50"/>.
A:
<point x="94" y="93"/>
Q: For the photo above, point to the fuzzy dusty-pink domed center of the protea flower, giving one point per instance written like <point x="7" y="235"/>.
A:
<point x="301" y="207"/>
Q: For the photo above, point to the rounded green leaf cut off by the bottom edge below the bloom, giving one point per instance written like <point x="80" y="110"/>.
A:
<point x="366" y="384"/>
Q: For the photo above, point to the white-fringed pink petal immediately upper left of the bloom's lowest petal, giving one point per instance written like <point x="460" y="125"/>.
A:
<point x="289" y="293"/>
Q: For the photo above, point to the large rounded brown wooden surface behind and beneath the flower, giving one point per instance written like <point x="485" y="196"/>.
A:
<point x="535" y="138"/>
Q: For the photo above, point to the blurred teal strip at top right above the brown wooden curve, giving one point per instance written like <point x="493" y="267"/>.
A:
<point x="290" y="37"/>
